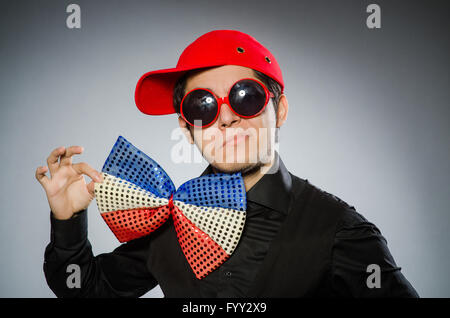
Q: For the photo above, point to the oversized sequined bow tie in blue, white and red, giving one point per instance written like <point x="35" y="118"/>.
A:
<point x="137" y="196"/>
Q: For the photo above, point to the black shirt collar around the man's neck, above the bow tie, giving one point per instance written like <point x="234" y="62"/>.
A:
<point x="273" y="190"/>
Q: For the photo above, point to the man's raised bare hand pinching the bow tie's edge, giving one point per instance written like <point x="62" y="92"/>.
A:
<point x="67" y="192"/>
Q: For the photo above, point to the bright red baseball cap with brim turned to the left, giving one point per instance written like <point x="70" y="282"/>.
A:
<point x="154" y="90"/>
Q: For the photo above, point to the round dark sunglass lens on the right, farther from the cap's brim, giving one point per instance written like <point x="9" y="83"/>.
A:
<point x="247" y="97"/>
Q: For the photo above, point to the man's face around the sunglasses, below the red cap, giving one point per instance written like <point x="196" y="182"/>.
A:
<point x="232" y="143"/>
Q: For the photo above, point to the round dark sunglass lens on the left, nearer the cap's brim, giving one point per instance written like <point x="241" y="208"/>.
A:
<point x="200" y="107"/>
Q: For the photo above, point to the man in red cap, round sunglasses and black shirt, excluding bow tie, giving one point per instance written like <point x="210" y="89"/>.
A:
<point x="297" y="240"/>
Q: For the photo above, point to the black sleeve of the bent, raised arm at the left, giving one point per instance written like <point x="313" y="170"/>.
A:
<point x="71" y="270"/>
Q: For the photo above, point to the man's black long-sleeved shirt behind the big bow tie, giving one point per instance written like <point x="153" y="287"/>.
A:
<point x="298" y="241"/>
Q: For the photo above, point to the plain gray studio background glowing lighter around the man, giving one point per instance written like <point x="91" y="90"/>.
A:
<point x="368" y="120"/>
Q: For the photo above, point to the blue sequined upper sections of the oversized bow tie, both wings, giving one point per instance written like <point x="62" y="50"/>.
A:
<point x="127" y="162"/>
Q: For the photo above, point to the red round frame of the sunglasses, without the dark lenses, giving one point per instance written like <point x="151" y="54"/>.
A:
<point x="225" y="100"/>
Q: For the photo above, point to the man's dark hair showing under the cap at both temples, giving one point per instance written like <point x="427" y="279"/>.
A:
<point x="180" y="86"/>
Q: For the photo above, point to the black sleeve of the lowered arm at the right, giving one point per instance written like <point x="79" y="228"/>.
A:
<point x="362" y="265"/>
